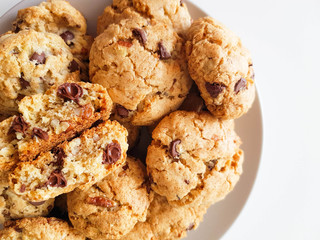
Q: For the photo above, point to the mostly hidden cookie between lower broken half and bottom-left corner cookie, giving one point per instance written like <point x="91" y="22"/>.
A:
<point x="13" y="206"/>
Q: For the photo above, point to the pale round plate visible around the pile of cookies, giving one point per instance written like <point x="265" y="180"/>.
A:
<point x="222" y="215"/>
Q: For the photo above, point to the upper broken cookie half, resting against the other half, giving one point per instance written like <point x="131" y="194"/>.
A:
<point x="45" y="120"/>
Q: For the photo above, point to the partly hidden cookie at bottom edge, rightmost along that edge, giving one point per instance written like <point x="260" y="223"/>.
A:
<point x="170" y="222"/>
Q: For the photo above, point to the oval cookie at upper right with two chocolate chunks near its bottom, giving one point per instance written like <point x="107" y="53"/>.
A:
<point x="222" y="68"/>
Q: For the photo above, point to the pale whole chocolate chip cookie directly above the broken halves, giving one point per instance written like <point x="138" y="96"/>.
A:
<point x="31" y="63"/>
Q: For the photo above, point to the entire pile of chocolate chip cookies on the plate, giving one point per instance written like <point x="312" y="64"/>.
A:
<point x="77" y="112"/>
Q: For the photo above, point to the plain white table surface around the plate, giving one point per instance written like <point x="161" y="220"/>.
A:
<point x="284" y="38"/>
